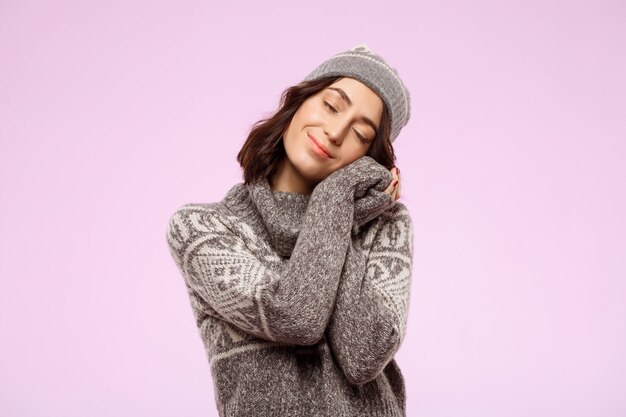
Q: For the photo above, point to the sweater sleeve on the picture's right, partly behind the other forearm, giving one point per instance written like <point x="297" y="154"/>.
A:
<point x="369" y="321"/>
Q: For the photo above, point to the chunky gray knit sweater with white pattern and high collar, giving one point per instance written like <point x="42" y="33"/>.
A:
<point x="301" y="300"/>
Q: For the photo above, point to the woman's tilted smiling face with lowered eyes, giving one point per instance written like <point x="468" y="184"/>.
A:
<point x="331" y="129"/>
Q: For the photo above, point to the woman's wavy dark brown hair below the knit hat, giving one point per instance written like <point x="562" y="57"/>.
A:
<point x="264" y="151"/>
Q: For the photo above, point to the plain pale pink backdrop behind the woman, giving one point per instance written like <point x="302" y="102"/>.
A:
<point x="115" y="113"/>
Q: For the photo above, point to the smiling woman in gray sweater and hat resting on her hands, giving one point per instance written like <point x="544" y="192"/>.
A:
<point x="299" y="278"/>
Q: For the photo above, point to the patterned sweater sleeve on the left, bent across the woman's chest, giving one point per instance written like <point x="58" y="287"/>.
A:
<point x="293" y="306"/>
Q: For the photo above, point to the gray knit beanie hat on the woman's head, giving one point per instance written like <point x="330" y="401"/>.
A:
<point x="364" y="65"/>
